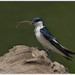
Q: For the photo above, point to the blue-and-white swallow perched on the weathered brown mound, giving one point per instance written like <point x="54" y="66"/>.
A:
<point x="48" y="41"/>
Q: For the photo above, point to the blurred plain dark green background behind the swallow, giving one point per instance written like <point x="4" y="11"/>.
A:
<point x="59" y="18"/>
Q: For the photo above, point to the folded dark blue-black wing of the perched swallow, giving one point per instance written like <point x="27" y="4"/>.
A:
<point x="53" y="41"/>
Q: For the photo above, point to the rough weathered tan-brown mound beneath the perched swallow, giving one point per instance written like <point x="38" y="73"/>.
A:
<point x="22" y="59"/>
